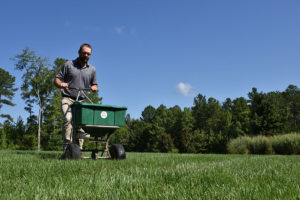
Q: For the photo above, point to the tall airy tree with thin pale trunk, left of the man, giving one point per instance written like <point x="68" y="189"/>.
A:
<point x="37" y="84"/>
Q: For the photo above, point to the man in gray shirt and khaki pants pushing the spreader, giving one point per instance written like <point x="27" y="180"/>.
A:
<point x="75" y="74"/>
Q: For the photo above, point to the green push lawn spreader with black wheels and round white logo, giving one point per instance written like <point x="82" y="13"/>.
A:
<point x="100" y="121"/>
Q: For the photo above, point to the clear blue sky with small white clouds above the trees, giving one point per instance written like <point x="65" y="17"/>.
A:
<point x="161" y="51"/>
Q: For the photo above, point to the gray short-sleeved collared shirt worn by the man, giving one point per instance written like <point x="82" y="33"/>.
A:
<point x="77" y="77"/>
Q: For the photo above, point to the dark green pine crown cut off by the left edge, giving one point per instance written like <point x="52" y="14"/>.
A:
<point x="7" y="90"/>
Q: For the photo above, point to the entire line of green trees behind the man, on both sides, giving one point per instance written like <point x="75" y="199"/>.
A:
<point x="206" y="127"/>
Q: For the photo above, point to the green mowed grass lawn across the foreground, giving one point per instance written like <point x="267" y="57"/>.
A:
<point x="33" y="175"/>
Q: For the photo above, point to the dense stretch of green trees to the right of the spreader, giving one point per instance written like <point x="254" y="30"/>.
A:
<point x="209" y="125"/>
